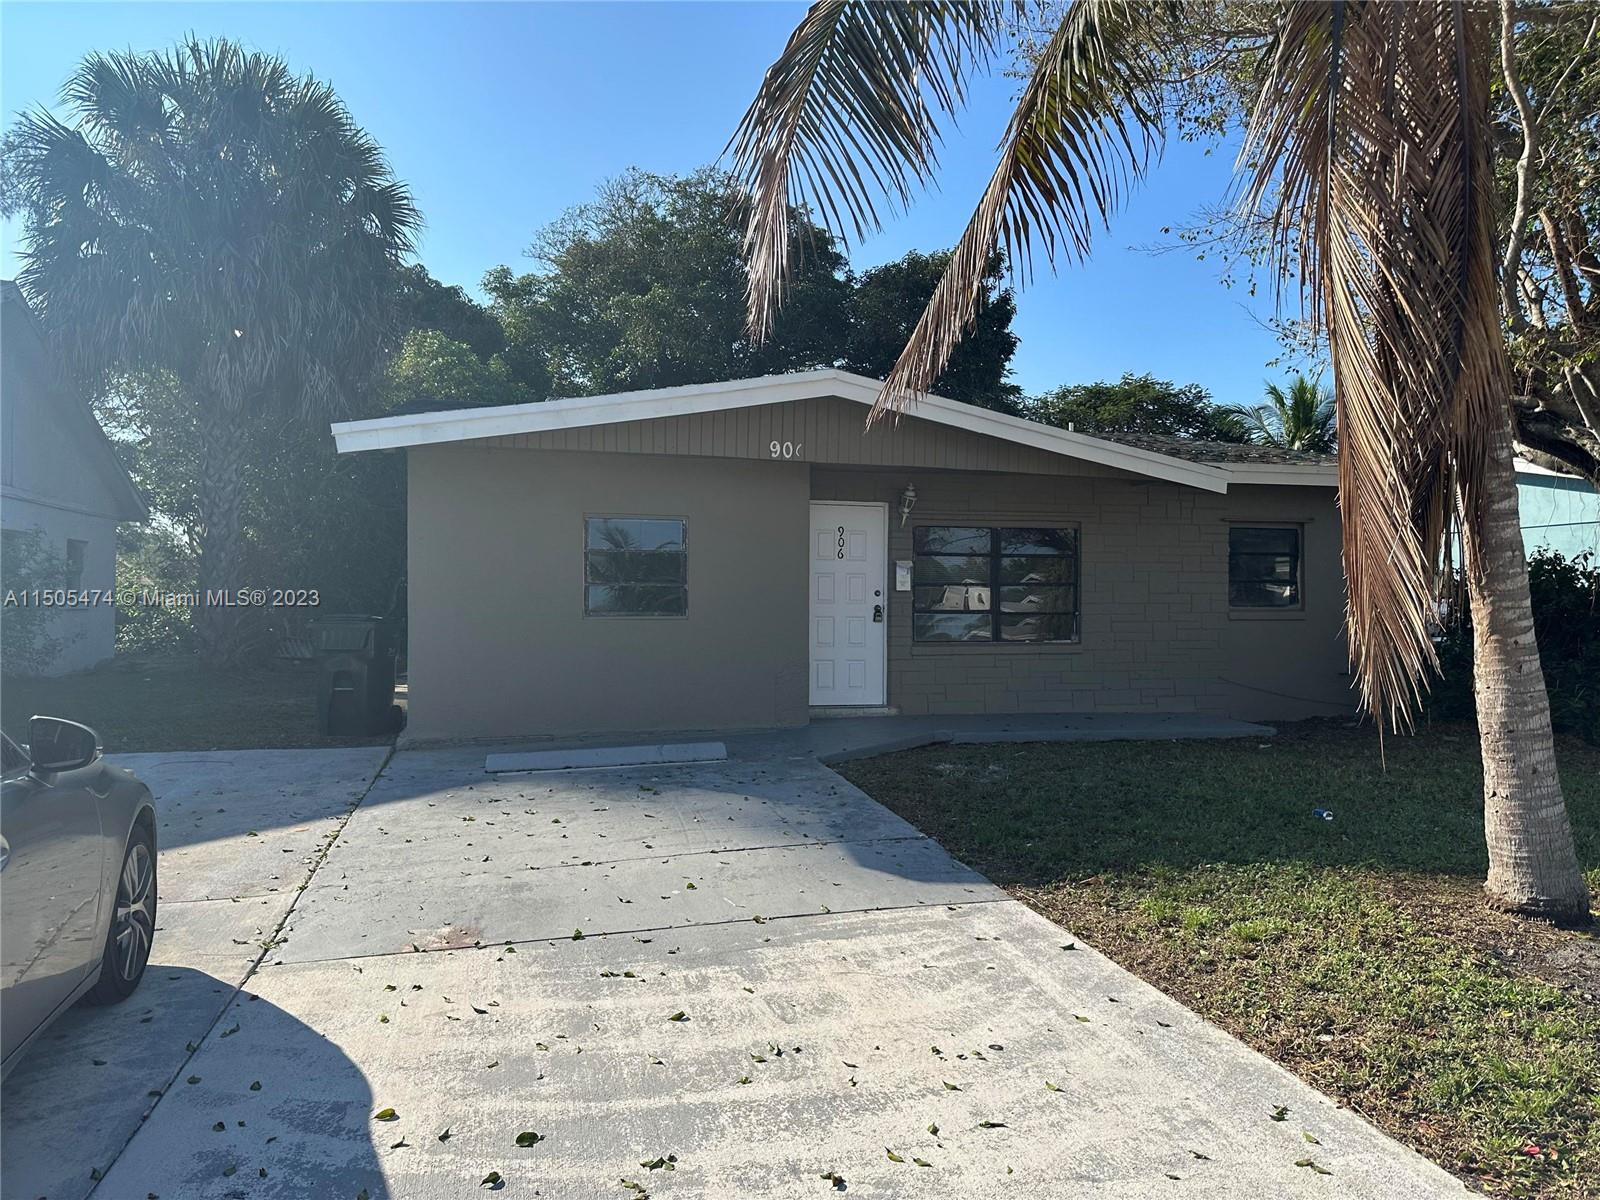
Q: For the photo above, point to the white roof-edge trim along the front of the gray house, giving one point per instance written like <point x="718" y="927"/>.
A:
<point x="466" y="425"/>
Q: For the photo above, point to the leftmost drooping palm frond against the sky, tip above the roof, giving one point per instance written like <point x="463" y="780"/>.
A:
<point x="849" y="116"/>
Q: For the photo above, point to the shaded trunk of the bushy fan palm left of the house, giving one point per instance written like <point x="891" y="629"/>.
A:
<point x="218" y="626"/>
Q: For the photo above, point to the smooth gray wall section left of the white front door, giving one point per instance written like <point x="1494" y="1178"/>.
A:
<point x="498" y="639"/>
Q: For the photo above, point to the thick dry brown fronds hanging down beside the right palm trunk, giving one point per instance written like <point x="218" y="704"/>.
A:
<point x="1372" y="151"/>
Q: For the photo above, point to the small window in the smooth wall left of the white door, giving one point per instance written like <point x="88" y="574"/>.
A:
<point x="636" y="567"/>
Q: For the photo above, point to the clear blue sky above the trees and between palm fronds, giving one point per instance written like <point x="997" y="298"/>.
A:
<point x="500" y="116"/>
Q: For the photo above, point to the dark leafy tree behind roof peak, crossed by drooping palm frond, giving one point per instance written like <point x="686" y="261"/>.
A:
<point x="886" y="310"/>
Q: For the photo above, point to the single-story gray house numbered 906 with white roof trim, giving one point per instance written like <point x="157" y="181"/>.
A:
<point x="753" y="554"/>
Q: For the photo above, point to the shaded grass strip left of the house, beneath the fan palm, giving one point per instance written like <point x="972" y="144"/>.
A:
<point x="174" y="705"/>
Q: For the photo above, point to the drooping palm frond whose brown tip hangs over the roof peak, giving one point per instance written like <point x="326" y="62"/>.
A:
<point x="1084" y="127"/>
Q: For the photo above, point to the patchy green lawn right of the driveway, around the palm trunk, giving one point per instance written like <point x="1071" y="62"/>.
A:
<point x="1354" y="951"/>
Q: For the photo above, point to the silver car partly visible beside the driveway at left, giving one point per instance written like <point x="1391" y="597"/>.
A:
<point x="78" y="879"/>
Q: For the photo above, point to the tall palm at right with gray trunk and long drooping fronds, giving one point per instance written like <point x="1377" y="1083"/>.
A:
<point x="1369" y="159"/>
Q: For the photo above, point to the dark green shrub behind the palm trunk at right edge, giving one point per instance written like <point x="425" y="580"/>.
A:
<point x="1567" y="622"/>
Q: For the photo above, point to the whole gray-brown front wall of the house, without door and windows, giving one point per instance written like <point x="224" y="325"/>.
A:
<point x="502" y="647"/>
